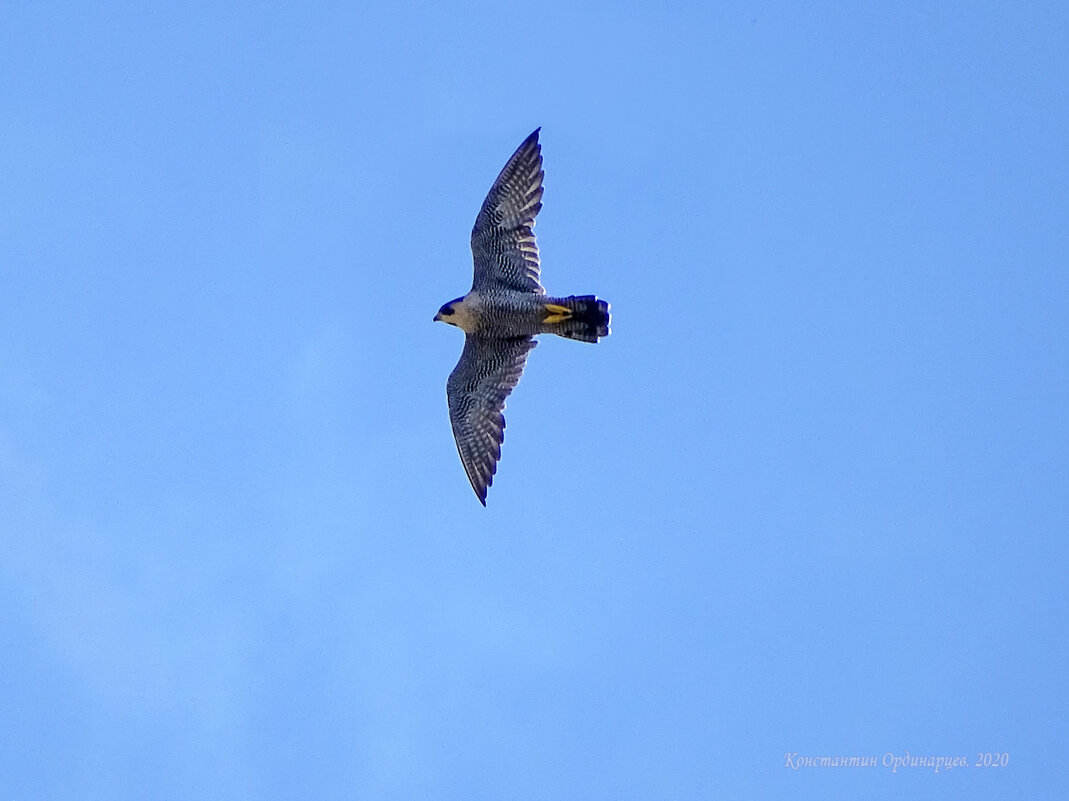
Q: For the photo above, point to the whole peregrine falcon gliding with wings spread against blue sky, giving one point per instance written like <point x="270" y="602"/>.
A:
<point x="503" y="314"/>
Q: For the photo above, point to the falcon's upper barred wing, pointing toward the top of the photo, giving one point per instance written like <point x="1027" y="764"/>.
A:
<point x="503" y="240"/>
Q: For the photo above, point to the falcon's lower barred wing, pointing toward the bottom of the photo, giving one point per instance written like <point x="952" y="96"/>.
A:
<point x="488" y="372"/>
